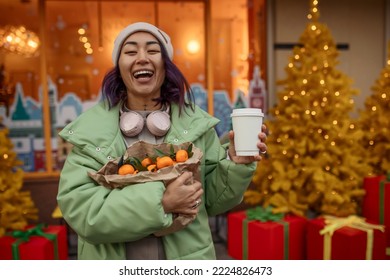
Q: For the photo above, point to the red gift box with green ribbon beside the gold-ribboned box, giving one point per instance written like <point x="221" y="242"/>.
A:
<point x="256" y="240"/>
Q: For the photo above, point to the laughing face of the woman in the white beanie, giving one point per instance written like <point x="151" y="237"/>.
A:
<point x="141" y="65"/>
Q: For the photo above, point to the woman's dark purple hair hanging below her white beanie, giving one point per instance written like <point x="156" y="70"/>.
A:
<point x="173" y="90"/>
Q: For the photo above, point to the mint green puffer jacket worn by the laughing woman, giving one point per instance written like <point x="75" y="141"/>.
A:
<point x="106" y="219"/>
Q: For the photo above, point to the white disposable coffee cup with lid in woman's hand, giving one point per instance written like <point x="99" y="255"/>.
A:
<point x="247" y="123"/>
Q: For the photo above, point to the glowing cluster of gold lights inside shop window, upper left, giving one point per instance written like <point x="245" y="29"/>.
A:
<point x="18" y="40"/>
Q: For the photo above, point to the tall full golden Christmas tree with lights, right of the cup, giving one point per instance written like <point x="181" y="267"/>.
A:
<point x="315" y="162"/>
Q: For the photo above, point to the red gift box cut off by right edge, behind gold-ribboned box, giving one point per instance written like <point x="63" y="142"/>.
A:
<point x="376" y="203"/>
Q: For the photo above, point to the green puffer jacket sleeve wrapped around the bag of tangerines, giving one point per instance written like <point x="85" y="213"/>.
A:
<point x="101" y="215"/>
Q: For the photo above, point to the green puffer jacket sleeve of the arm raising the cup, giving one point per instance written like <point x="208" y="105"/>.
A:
<point x="224" y="181"/>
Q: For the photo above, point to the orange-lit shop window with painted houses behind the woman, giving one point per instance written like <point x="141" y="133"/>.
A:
<point x="76" y="54"/>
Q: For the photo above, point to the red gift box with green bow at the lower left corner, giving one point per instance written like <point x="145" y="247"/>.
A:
<point x="36" y="247"/>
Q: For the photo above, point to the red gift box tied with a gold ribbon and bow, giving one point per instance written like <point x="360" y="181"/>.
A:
<point x="346" y="242"/>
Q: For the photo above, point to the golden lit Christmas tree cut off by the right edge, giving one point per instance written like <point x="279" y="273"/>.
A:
<point x="375" y="121"/>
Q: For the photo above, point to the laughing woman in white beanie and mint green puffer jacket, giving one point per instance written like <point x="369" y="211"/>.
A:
<point x="145" y="100"/>
